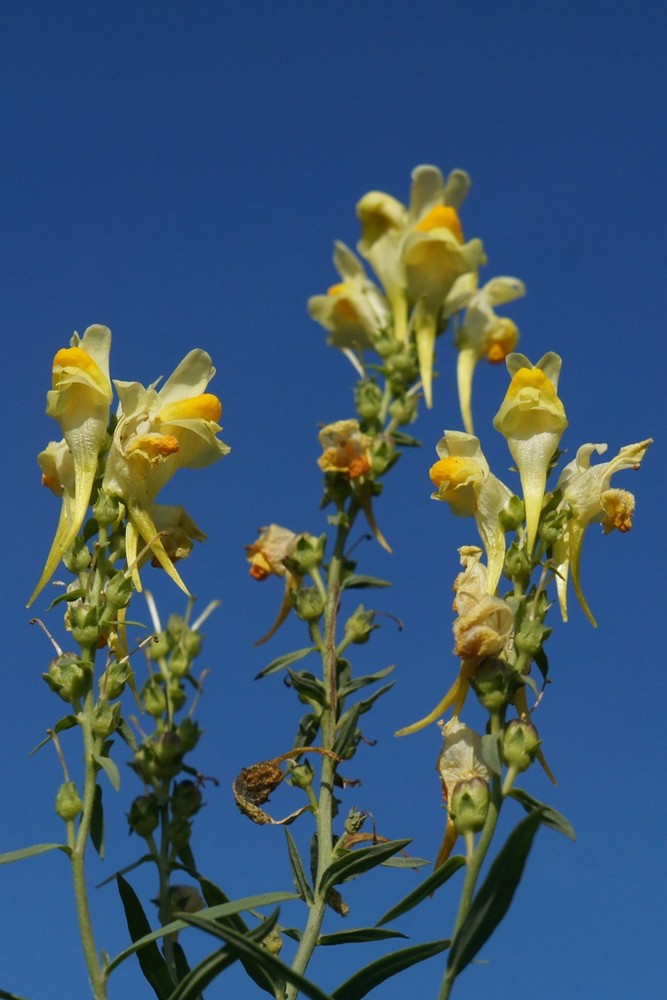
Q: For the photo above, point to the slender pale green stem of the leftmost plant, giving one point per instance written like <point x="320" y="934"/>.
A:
<point x="78" y="844"/>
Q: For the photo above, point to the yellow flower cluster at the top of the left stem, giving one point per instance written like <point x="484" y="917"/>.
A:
<point x="121" y="469"/>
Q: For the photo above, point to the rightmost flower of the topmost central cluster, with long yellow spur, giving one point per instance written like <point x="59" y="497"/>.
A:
<point x="485" y="334"/>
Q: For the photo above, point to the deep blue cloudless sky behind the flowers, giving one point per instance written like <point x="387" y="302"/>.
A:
<point x="179" y="172"/>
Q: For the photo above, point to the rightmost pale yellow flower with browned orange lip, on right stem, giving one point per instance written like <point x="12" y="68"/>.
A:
<point x="586" y="490"/>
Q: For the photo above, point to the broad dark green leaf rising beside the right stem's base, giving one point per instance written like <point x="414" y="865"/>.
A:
<point x="495" y="895"/>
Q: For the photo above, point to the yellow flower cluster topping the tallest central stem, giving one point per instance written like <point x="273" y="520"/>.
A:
<point x="428" y="274"/>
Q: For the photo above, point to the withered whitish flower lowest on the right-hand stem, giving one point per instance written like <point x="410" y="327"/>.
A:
<point x="460" y="760"/>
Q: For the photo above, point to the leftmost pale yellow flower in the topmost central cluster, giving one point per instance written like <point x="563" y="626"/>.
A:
<point x="354" y="311"/>
